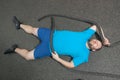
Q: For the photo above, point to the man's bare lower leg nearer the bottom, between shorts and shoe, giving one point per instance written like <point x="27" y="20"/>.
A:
<point x="28" y="55"/>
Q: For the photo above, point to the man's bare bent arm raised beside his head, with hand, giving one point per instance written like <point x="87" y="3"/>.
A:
<point x="100" y="32"/>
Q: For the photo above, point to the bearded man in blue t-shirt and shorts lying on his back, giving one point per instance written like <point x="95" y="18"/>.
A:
<point x="71" y="43"/>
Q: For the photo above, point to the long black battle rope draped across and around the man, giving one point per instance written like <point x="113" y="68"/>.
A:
<point x="86" y="21"/>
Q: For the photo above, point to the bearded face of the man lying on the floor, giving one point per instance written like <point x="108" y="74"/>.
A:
<point x="95" y="44"/>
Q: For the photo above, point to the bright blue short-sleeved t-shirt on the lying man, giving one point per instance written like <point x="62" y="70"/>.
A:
<point x="73" y="44"/>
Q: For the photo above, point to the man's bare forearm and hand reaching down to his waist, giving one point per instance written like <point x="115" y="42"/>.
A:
<point x="63" y="62"/>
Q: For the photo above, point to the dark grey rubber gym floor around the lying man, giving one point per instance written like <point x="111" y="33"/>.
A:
<point x="14" y="67"/>
